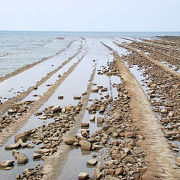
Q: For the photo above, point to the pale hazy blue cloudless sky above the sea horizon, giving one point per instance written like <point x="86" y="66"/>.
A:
<point x="90" y="15"/>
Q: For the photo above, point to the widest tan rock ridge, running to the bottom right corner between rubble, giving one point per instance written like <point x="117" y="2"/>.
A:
<point x="149" y="126"/>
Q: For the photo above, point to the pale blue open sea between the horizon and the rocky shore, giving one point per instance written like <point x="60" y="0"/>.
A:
<point x="19" y="48"/>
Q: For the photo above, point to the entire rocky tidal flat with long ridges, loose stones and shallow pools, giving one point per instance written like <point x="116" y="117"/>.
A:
<point x="98" y="109"/>
